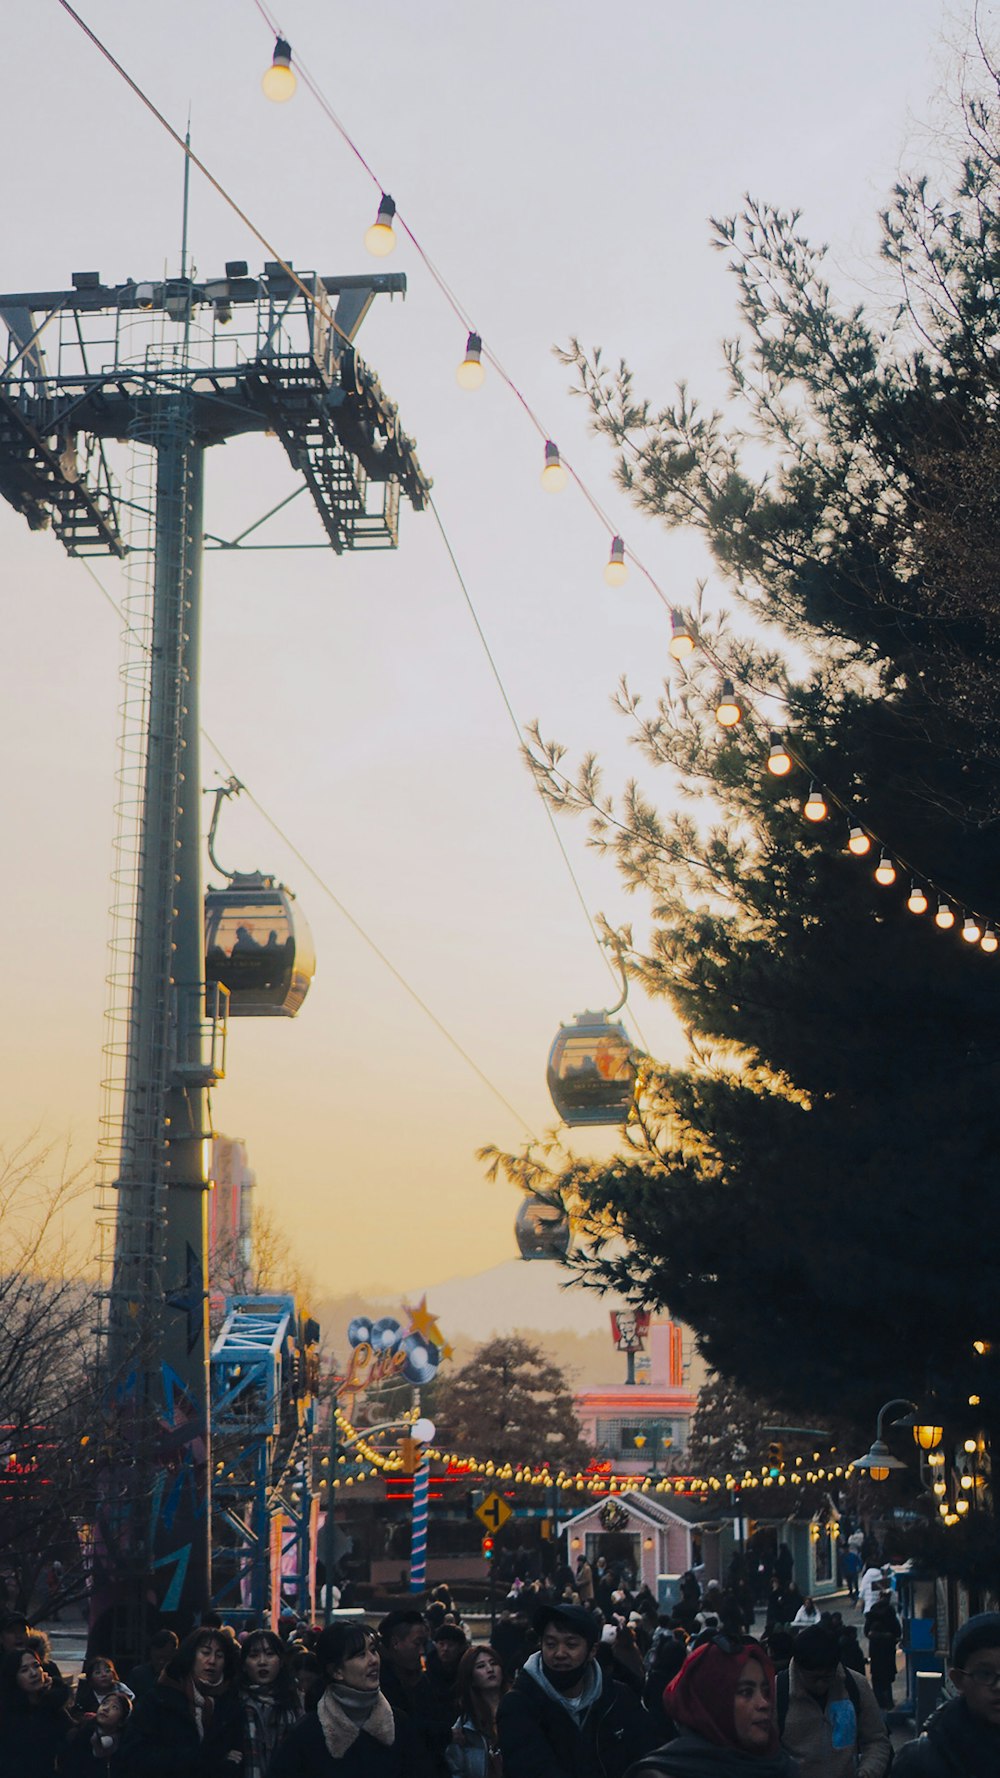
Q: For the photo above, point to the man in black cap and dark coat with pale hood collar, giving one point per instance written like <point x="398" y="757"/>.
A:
<point x="565" y="1718"/>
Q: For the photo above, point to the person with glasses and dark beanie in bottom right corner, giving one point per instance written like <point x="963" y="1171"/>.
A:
<point x="964" y="1738"/>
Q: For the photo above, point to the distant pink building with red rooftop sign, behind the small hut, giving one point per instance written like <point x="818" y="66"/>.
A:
<point x="645" y="1425"/>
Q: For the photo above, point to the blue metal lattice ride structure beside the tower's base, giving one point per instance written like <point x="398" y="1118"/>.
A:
<point x="264" y="1393"/>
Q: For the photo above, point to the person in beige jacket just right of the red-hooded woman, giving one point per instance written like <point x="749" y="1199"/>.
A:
<point x="828" y="1718"/>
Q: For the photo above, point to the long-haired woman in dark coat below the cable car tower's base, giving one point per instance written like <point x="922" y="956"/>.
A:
<point x="190" y="1726"/>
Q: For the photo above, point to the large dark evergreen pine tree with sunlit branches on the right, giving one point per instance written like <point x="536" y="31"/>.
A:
<point x="814" y="1189"/>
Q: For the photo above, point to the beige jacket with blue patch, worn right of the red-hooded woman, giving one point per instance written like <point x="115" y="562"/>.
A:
<point x="835" y="1740"/>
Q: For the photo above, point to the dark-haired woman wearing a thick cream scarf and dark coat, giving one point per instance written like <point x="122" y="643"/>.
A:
<point x="353" y="1733"/>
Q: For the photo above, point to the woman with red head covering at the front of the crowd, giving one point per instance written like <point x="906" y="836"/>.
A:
<point x="723" y="1704"/>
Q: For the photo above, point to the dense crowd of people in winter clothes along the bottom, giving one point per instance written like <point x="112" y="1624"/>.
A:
<point x="561" y="1692"/>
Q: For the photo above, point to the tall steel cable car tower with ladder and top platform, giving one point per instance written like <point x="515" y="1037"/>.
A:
<point x="172" y="369"/>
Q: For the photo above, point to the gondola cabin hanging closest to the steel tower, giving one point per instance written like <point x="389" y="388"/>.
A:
<point x="259" y="947"/>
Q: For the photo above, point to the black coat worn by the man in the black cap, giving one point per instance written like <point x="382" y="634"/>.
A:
<point x="540" y="1740"/>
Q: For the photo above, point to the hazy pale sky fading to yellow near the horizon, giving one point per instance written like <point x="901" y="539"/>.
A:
<point x="560" y="164"/>
